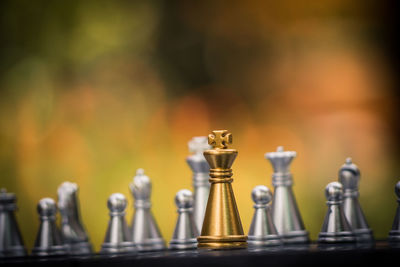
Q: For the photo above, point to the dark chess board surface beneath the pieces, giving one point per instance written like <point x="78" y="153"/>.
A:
<point x="307" y="255"/>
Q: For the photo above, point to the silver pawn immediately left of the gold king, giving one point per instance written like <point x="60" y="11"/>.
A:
<point x="185" y="233"/>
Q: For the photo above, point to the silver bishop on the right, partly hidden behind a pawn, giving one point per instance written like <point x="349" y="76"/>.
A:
<point x="349" y="176"/>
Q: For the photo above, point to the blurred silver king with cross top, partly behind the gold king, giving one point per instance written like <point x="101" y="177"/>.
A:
<point x="200" y="168"/>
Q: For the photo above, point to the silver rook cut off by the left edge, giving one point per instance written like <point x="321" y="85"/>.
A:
<point x="11" y="243"/>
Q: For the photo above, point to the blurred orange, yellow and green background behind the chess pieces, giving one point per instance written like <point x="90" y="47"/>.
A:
<point x="93" y="90"/>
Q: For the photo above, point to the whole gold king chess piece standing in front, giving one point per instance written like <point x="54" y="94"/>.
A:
<point x="222" y="228"/>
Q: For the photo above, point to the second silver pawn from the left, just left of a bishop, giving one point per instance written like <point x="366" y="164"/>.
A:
<point x="117" y="239"/>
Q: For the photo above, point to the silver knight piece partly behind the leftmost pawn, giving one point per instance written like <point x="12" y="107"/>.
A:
<point x="72" y="230"/>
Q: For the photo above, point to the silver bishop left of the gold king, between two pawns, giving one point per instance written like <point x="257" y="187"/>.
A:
<point x="144" y="230"/>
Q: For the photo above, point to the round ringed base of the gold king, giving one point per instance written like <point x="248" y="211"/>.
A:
<point x="225" y="242"/>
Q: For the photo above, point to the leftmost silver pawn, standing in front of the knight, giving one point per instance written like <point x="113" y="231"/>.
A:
<point x="48" y="240"/>
